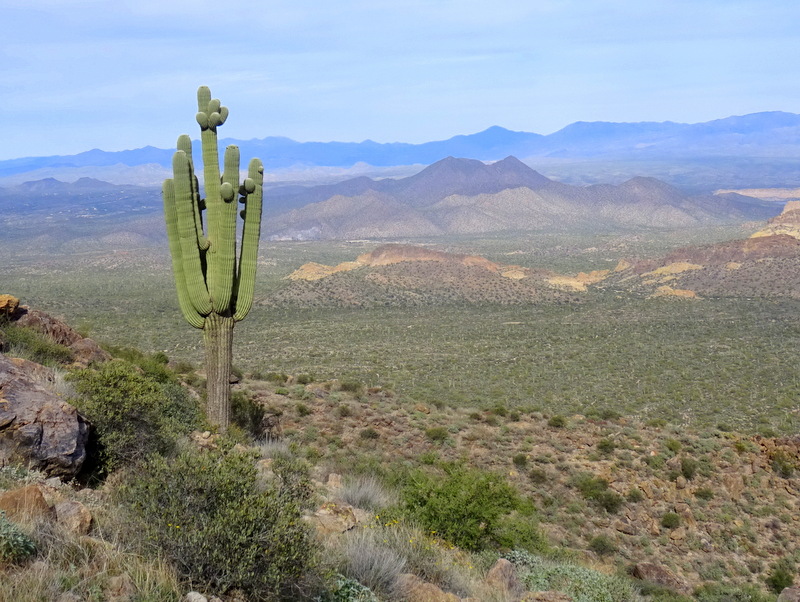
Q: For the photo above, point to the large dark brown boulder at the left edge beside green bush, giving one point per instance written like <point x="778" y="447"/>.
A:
<point x="37" y="428"/>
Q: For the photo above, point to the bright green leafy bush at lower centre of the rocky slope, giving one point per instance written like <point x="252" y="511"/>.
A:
<point x="462" y="505"/>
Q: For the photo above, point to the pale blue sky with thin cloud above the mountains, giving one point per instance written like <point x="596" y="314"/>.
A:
<point x="120" y="74"/>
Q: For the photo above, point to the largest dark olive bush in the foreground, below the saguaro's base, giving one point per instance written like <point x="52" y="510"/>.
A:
<point x="207" y="512"/>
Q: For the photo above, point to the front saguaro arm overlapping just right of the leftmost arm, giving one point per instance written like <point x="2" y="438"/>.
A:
<point x="187" y="235"/>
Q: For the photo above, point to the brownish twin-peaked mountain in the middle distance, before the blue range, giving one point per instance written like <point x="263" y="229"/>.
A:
<point x="464" y="196"/>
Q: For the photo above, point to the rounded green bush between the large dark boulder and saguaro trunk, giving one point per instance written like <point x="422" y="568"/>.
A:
<point x="133" y="414"/>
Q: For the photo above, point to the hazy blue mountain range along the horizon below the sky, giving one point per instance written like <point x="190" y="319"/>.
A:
<point x="773" y="135"/>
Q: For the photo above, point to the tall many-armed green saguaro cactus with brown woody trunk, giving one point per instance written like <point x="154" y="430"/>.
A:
<point x="215" y="288"/>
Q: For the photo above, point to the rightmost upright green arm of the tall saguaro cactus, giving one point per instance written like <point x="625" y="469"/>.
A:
<point x="248" y="258"/>
